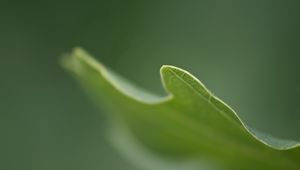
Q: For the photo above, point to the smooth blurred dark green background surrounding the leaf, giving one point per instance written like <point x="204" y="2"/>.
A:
<point x="246" y="52"/>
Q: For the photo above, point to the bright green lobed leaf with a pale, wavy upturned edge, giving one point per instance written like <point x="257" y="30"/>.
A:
<point x="189" y="123"/>
